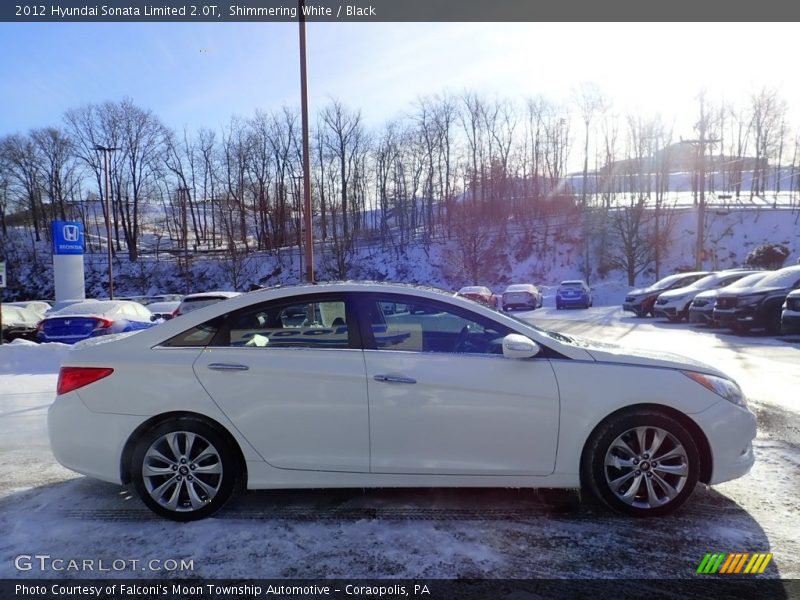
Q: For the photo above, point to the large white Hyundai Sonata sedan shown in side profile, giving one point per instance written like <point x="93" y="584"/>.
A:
<point x="375" y="385"/>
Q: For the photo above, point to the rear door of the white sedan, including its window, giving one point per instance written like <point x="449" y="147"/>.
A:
<point x="290" y="375"/>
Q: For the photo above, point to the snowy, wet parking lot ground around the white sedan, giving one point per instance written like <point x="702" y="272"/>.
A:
<point x="422" y="533"/>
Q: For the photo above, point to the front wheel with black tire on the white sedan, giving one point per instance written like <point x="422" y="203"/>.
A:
<point x="647" y="488"/>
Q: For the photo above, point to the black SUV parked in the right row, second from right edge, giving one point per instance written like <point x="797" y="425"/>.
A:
<point x="758" y="306"/>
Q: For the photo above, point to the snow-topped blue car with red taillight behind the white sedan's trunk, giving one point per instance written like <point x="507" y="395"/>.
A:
<point x="93" y="318"/>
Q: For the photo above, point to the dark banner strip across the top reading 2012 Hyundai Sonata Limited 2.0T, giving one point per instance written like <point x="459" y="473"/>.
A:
<point x="398" y="10"/>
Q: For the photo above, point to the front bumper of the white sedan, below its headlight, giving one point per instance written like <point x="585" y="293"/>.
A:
<point x="730" y="431"/>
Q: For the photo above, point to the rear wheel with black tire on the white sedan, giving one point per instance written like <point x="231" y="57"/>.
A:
<point x="208" y="447"/>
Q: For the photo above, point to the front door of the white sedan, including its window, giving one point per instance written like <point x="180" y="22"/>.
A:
<point x="444" y="400"/>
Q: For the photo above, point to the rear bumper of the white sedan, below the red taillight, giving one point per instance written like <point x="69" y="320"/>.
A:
<point x="88" y="442"/>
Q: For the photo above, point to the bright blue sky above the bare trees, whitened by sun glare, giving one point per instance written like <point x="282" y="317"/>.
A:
<point x="194" y="74"/>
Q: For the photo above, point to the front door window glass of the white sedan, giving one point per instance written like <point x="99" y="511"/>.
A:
<point x="415" y="325"/>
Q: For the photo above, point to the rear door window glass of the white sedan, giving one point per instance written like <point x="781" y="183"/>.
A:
<point x="288" y="324"/>
